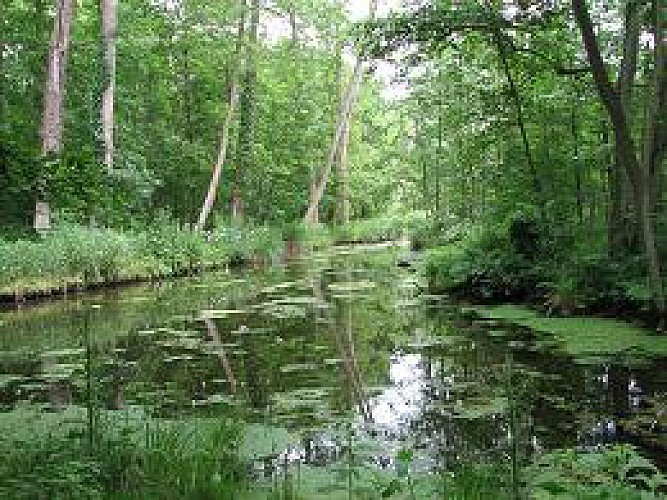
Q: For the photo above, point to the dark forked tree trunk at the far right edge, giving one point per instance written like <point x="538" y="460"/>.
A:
<point x="641" y="173"/>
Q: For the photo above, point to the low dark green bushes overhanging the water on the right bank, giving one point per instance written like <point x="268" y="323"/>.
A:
<point x="525" y="259"/>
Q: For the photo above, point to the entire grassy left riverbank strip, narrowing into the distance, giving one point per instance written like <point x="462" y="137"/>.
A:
<point x="75" y="259"/>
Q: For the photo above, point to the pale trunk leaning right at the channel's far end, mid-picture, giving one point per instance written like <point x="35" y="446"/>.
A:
<point x="317" y="190"/>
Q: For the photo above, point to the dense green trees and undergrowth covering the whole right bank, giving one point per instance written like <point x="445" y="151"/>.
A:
<point x="517" y="154"/>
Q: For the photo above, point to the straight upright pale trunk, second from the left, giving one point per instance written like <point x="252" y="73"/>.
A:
<point x="109" y="24"/>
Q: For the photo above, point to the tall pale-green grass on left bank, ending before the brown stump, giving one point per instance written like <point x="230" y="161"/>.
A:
<point x="75" y="257"/>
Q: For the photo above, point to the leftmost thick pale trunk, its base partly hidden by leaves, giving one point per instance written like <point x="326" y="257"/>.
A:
<point x="54" y="97"/>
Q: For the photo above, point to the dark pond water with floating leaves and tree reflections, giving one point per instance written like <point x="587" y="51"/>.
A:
<point x="337" y="351"/>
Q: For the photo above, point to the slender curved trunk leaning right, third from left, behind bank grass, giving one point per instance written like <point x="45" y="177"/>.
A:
<point x="226" y="127"/>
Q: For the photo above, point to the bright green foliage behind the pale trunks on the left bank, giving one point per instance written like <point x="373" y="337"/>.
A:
<point x="172" y="81"/>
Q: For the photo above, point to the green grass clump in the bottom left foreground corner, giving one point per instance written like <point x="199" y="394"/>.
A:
<point x="128" y="455"/>
